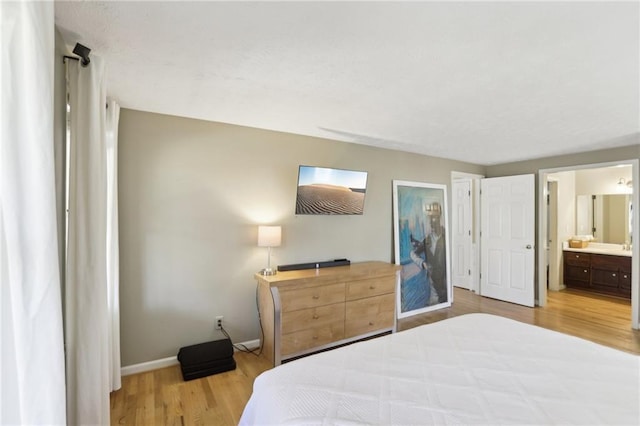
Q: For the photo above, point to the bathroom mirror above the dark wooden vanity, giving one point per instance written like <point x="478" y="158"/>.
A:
<point x="605" y="216"/>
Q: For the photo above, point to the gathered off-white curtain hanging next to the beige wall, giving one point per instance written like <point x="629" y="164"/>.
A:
<point x="91" y="329"/>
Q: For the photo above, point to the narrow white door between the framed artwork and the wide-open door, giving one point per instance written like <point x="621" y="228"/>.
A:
<point x="462" y="240"/>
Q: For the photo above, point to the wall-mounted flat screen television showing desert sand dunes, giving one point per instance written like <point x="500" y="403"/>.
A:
<point x="328" y="191"/>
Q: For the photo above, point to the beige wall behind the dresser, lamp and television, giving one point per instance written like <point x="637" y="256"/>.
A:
<point x="191" y="196"/>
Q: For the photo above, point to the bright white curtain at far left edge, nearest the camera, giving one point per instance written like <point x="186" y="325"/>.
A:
<point x="32" y="364"/>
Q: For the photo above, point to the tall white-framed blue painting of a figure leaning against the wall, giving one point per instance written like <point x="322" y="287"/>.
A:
<point x="421" y="246"/>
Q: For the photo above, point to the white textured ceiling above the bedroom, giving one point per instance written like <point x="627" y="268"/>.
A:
<point x="486" y="83"/>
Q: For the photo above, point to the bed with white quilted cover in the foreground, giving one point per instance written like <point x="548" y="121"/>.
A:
<point x="471" y="369"/>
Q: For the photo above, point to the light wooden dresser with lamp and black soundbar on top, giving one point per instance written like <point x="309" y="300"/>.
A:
<point x="313" y="309"/>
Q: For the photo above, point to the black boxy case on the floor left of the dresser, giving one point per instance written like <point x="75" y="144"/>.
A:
<point x="205" y="359"/>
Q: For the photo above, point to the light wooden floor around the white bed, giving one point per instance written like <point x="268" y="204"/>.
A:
<point x="161" y="397"/>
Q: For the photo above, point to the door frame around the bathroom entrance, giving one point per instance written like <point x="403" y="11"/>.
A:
<point x="542" y="231"/>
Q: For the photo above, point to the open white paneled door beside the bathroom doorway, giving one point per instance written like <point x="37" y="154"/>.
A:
<point x="507" y="239"/>
